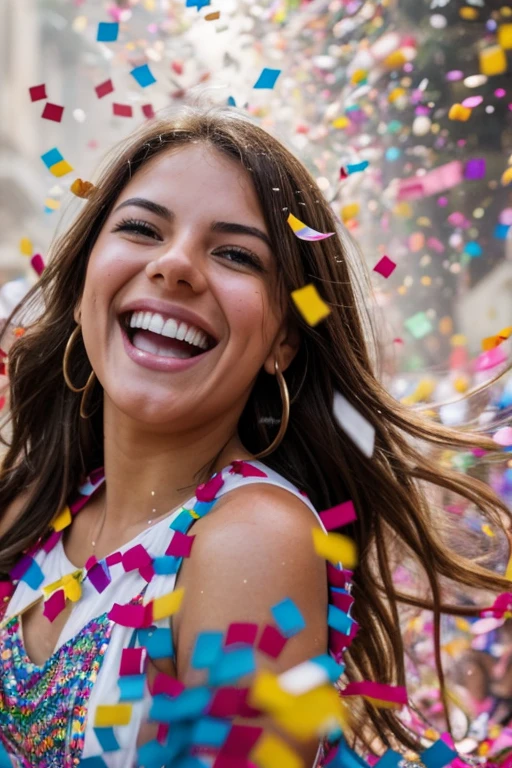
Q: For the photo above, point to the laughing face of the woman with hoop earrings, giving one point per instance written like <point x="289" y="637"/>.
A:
<point x="180" y="311"/>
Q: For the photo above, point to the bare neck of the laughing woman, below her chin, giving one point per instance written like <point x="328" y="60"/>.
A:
<point x="148" y="474"/>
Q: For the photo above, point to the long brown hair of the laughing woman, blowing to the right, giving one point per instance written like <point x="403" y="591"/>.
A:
<point x="51" y="448"/>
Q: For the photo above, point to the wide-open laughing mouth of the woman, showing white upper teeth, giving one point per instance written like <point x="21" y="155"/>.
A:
<point x="165" y="337"/>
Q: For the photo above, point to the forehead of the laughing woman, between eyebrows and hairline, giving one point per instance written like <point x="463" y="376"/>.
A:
<point x="196" y="178"/>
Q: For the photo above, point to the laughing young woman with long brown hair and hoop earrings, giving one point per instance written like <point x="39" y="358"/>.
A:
<point x="168" y="360"/>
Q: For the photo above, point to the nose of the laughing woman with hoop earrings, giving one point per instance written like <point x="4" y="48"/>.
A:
<point x="181" y="265"/>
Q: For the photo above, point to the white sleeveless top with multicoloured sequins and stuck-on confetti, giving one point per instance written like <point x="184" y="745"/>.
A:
<point x="55" y="715"/>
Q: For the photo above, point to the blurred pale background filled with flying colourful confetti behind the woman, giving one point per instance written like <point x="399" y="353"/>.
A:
<point x="402" y="110"/>
